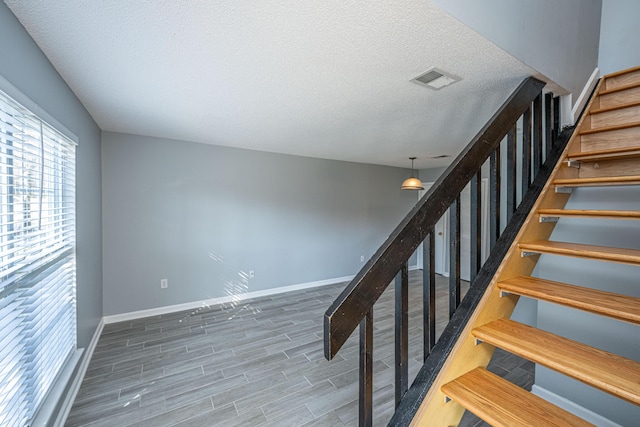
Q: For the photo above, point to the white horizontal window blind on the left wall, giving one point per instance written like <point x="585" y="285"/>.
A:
<point x="37" y="260"/>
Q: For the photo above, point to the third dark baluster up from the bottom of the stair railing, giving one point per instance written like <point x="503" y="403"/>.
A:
<point x="429" y="293"/>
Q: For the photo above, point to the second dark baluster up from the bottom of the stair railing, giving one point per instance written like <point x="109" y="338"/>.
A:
<point x="402" y="333"/>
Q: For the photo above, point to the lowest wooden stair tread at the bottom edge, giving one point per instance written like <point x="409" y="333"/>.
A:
<point x="503" y="404"/>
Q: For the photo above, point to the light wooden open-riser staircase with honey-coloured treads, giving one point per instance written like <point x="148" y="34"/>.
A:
<point x="603" y="152"/>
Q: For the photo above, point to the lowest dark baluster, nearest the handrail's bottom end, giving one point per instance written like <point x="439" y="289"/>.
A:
<point x="366" y="371"/>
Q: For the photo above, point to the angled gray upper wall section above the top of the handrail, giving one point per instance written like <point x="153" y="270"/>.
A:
<point x="557" y="38"/>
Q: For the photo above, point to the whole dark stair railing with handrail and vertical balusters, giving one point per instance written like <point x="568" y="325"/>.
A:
<point x="354" y="306"/>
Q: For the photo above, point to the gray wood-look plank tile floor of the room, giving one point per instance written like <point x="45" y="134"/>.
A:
<point x="252" y="363"/>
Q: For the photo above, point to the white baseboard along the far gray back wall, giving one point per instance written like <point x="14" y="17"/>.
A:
<point x="124" y="317"/>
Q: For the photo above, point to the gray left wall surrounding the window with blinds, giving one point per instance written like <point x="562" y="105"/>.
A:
<point x="31" y="73"/>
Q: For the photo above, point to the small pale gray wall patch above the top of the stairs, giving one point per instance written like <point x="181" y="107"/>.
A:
<point x="619" y="35"/>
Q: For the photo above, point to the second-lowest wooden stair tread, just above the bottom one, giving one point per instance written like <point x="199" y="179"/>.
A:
<point x="606" y="371"/>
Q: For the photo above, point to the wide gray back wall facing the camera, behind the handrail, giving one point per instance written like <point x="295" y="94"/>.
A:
<point x="203" y="215"/>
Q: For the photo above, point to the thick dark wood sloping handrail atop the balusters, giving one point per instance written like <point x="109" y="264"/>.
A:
<point x="358" y="298"/>
